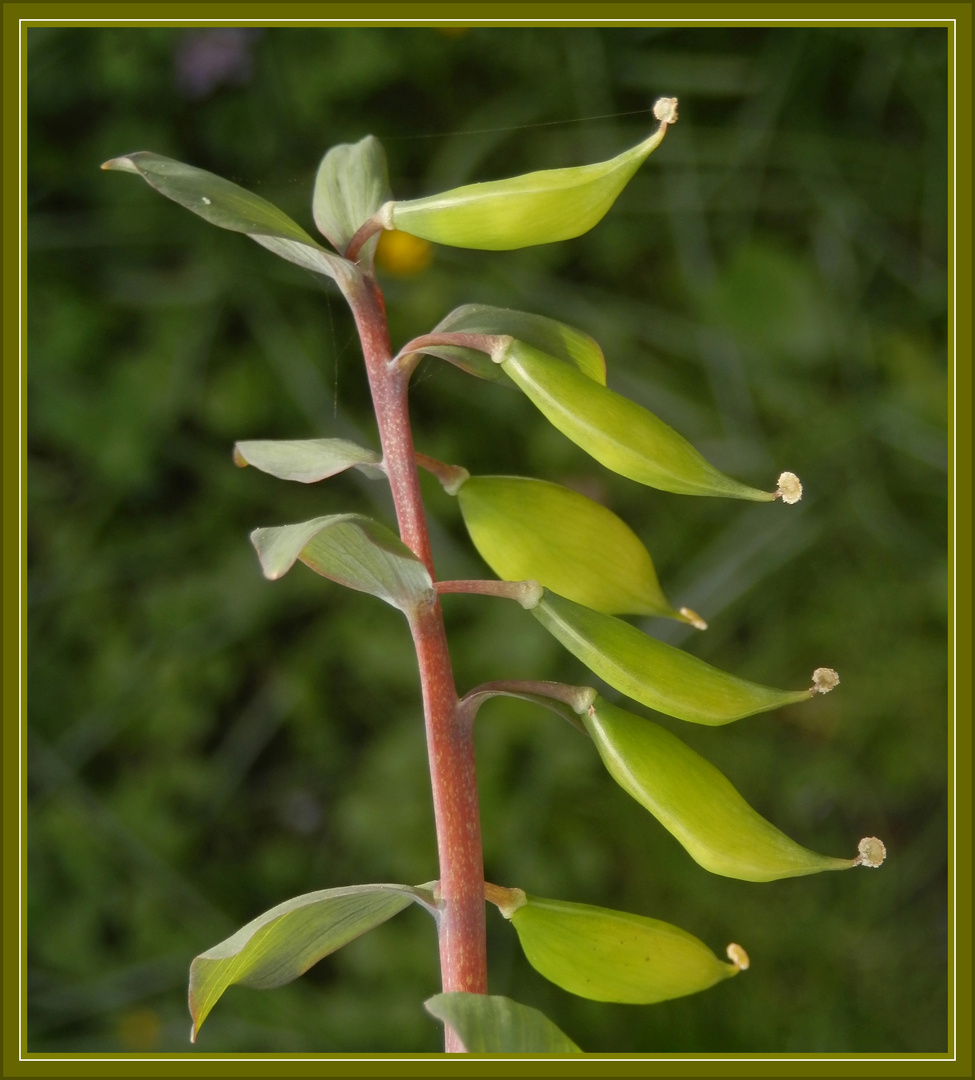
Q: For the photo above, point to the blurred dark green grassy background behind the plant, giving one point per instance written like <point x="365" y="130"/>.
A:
<point x="204" y="745"/>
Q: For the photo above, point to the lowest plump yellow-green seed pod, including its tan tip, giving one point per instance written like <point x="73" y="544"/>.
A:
<point x="613" y="956"/>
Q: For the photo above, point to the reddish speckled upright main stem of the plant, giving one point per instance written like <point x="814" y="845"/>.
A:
<point x="450" y="735"/>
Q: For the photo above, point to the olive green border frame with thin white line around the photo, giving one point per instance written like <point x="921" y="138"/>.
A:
<point x="958" y="19"/>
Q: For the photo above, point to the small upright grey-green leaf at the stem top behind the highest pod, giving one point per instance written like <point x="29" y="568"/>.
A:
<point x="351" y="185"/>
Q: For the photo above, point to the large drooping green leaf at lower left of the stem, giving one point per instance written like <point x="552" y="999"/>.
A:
<point x="282" y="944"/>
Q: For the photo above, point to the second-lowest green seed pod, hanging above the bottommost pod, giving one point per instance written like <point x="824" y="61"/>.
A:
<point x="696" y="803"/>
